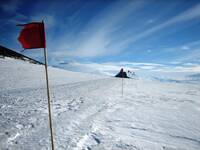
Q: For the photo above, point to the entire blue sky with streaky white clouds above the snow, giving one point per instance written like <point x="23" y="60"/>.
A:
<point x="103" y="35"/>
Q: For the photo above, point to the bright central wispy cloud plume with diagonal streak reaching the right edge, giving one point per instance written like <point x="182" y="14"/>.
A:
<point x="100" y="38"/>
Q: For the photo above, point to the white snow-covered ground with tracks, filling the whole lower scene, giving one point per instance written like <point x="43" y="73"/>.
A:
<point x="89" y="112"/>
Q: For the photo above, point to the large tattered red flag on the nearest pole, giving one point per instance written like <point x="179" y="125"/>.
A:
<point x="32" y="35"/>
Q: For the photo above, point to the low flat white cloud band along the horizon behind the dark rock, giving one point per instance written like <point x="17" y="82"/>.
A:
<point x="111" y="68"/>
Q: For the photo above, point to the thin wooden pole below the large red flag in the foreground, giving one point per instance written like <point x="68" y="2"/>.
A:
<point x="49" y="100"/>
